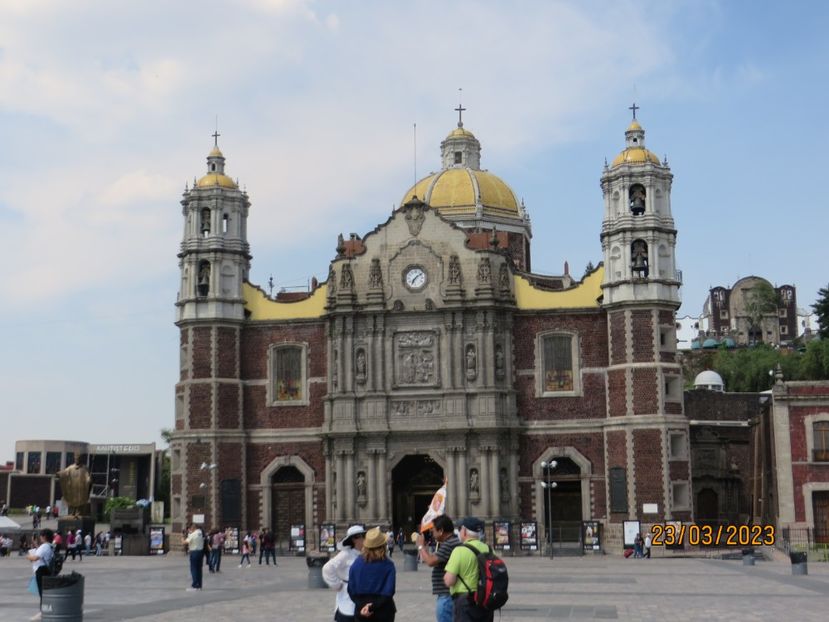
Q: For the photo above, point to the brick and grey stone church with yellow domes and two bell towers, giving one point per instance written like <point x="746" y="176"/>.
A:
<point x="432" y="352"/>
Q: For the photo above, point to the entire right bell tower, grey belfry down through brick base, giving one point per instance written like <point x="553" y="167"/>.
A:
<point x="647" y="434"/>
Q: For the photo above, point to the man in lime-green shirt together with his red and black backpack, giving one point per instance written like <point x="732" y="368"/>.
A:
<point x="476" y="578"/>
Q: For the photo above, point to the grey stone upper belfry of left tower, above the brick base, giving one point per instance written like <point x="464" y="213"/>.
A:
<point x="215" y="255"/>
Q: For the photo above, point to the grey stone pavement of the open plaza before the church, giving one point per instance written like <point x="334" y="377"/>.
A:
<point x="601" y="587"/>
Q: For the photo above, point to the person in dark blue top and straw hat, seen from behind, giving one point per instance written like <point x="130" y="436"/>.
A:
<point x="372" y="579"/>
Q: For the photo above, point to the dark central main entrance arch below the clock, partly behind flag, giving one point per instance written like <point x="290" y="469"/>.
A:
<point x="414" y="482"/>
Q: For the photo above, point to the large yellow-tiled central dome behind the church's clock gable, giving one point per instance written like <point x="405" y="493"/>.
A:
<point x="458" y="191"/>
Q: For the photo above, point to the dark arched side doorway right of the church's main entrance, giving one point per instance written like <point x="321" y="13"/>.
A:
<point x="563" y="504"/>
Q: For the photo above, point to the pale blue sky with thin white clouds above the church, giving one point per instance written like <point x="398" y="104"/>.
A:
<point x="107" y="109"/>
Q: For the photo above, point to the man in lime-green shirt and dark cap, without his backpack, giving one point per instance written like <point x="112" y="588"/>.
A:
<point x="461" y="575"/>
